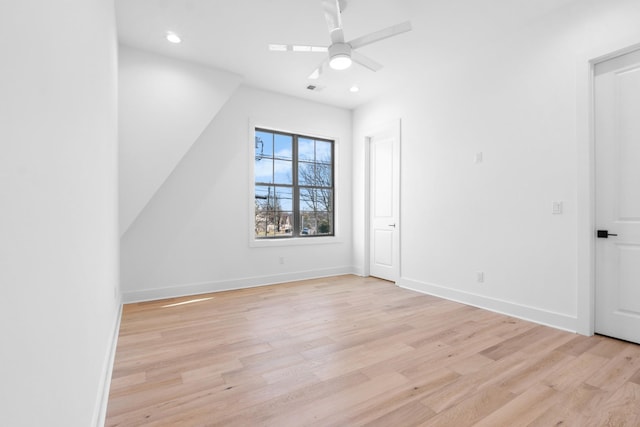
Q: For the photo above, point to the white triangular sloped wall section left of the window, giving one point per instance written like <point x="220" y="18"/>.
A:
<point x="164" y="105"/>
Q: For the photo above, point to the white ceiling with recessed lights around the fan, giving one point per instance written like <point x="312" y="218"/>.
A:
<point x="233" y="35"/>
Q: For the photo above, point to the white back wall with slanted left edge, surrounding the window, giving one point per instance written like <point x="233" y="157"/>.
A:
<point x="193" y="236"/>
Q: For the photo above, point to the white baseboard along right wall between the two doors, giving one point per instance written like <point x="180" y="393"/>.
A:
<point x="533" y="314"/>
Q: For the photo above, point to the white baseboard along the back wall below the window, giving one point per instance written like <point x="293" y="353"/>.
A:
<point x="229" y="285"/>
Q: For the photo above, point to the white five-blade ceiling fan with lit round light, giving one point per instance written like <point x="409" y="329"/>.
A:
<point x="342" y="54"/>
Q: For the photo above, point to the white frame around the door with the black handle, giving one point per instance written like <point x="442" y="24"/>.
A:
<point x="586" y="198"/>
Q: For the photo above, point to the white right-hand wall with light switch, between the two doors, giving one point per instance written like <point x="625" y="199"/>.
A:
<point x="523" y="103"/>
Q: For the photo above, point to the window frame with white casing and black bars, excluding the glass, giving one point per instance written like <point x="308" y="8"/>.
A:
<point x="296" y="238"/>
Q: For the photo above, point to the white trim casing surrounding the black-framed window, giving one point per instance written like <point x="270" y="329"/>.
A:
<point x="293" y="241"/>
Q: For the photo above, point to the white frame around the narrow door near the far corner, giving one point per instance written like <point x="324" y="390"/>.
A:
<point x="392" y="127"/>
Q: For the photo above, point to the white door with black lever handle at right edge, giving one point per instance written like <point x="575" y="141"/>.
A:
<point x="617" y="140"/>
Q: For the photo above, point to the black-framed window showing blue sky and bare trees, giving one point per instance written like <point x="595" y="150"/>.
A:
<point x="294" y="185"/>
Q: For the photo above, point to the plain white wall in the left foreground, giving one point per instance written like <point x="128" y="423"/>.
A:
<point x="58" y="210"/>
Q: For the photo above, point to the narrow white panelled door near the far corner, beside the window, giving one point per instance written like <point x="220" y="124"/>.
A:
<point x="384" y="204"/>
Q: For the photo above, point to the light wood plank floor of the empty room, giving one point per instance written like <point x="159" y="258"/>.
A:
<point x="348" y="351"/>
